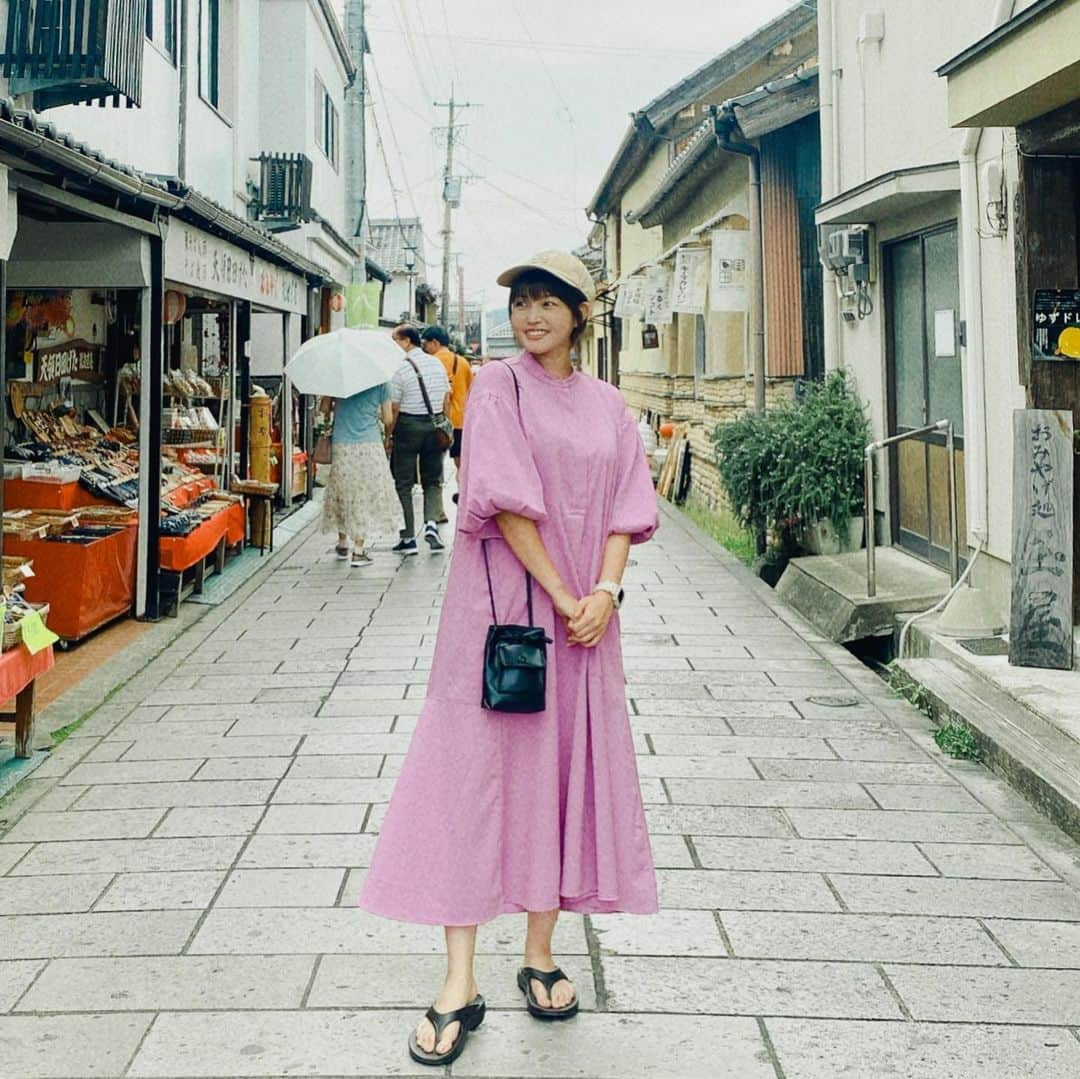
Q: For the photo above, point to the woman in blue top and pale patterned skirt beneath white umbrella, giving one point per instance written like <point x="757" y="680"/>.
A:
<point x="360" y="503"/>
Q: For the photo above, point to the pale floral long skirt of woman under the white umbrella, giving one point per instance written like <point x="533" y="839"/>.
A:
<point x="360" y="498"/>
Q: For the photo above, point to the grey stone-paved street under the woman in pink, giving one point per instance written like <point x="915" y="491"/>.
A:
<point x="839" y="899"/>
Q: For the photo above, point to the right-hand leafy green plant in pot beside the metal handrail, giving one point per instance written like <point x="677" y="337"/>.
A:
<point x="822" y="488"/>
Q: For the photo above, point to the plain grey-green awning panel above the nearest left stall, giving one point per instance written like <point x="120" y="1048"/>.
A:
<point x="78" y="255"/>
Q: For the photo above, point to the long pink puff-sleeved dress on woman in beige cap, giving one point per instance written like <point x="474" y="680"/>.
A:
<point x="497" y="813"/>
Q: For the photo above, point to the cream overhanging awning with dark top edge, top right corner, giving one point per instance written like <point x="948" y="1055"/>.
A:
<point x="1025" y="69"/>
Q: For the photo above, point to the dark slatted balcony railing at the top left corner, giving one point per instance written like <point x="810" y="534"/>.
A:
<point x="67" y="51"/>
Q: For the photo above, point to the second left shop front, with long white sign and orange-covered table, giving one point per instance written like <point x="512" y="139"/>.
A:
<point x="229" y="317"/>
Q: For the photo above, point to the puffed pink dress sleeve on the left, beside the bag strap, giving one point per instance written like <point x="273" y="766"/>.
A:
<point x="498" y="474"/>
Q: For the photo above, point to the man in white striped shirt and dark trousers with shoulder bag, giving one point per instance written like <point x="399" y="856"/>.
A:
<point x="414" y="437"/>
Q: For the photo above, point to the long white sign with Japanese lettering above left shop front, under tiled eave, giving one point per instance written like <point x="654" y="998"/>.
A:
<point x="194" y="258"/>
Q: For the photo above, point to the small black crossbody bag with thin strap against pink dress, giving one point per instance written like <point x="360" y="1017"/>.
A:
<point x="516" y="657"/>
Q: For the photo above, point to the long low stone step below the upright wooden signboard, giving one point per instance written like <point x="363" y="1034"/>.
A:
<point x="1036" y="758"/>
